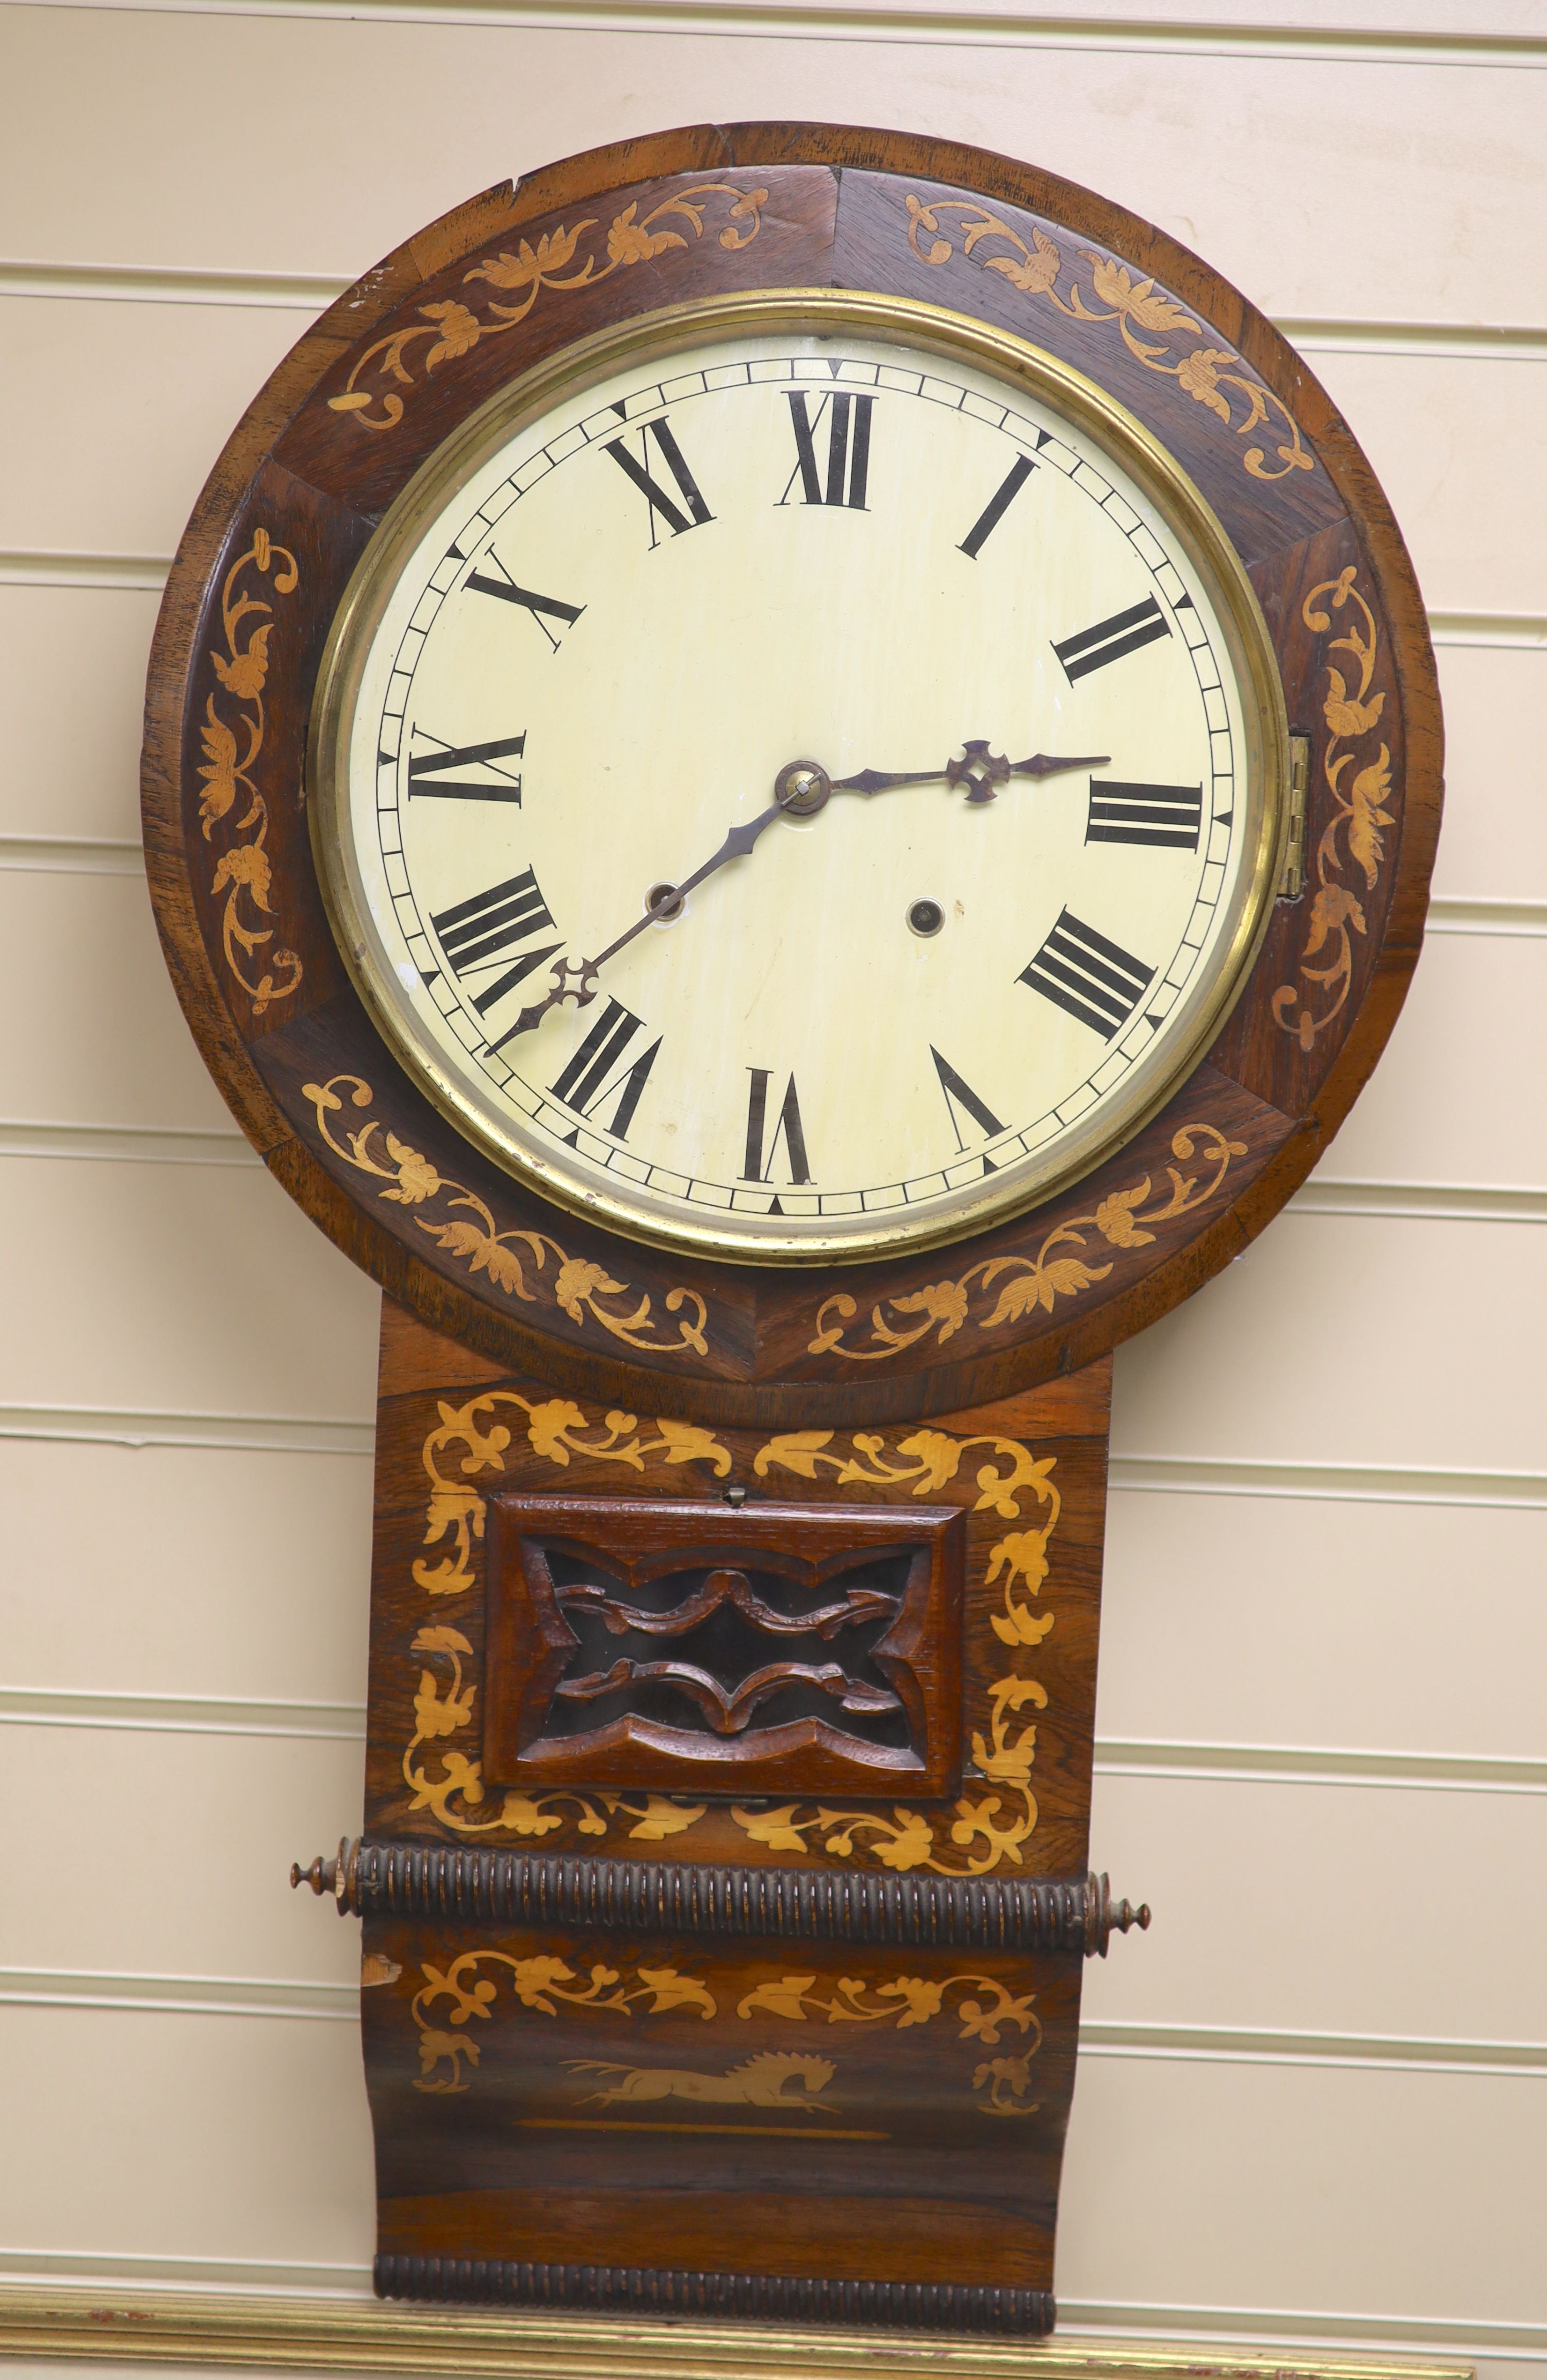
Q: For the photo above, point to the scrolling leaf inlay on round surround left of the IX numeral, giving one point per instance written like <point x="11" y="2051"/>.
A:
<point x="232" y="753"/>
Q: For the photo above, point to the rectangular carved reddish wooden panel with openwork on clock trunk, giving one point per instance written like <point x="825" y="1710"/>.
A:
<point x="758" y="1648"/>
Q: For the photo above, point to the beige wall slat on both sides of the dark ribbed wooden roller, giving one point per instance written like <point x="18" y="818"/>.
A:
<point x="1260" y="1889"/>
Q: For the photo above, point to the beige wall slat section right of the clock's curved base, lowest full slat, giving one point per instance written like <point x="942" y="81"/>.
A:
<point x="1296" y="2186"/>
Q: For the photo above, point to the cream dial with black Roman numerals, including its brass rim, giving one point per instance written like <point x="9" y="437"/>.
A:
<point x="798" y="779"/>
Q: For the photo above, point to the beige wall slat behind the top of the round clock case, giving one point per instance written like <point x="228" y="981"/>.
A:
<point x="1289" y="144"/>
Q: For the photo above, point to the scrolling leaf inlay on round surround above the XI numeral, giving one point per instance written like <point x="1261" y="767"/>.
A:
<point x="453" y="327"/>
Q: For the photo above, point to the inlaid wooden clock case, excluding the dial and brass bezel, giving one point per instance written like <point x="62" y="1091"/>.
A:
<point x="734" y="1972"/>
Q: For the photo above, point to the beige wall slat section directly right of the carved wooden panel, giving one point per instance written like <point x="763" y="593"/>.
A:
<point x="1344" y="1624"/>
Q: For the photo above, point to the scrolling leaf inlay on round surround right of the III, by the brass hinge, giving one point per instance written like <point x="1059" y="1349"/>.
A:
<point x="1360" y="808"/>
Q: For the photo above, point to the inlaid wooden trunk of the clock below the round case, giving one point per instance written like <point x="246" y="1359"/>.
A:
<point x="718" y="1943"/>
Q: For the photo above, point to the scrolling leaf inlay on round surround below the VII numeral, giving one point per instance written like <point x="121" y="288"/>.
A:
<point x="577" y="1289"/>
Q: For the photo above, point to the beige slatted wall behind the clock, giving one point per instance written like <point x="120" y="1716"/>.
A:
<point x="1315" y="2098"/>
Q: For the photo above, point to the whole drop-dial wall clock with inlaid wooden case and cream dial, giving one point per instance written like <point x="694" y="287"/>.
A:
<point x="789" y="782"/>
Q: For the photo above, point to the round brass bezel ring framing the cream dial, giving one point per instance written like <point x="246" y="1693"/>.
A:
<point x="644" y="339"/>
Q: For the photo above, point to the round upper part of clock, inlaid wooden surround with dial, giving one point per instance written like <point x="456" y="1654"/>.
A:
<point x="791" y="772"/>
